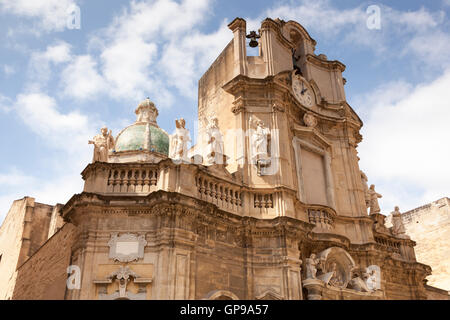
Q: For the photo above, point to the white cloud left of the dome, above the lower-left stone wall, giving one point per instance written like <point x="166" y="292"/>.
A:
<point x="67" y="135"/>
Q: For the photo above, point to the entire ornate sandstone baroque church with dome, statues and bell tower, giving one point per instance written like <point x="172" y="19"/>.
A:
<point x="270" y="203"/>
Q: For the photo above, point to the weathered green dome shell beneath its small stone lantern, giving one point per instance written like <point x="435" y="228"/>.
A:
<point x="133" y="138"/>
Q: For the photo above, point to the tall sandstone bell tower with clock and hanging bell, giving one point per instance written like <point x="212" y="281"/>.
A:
<point x="294" y="101"/>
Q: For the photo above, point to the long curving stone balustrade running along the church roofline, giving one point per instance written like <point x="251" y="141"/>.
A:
<point x="211" y="184"/>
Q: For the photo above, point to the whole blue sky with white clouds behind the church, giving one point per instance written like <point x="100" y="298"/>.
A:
<point x="58" y="86"/>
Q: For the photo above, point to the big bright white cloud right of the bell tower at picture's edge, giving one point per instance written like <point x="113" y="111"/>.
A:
<point x="405" y="148"/>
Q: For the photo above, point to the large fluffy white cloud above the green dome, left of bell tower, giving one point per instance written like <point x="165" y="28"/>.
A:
<point x="149" y="49"/>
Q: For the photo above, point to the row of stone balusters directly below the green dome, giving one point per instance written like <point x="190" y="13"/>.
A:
<point x="132" y="180"/>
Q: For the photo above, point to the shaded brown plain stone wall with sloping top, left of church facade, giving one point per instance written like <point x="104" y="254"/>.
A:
<point x="43" y="276"/>
